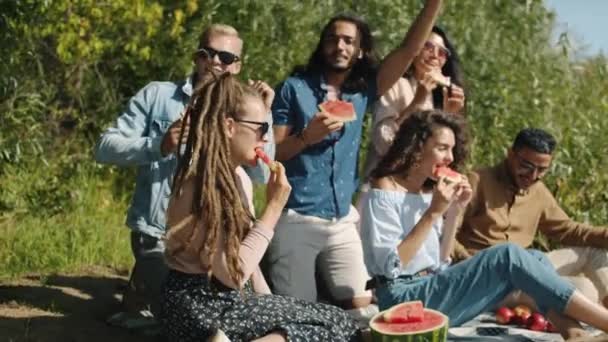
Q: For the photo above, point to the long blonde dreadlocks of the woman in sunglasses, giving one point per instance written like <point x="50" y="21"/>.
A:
<point x="218" y="203"/>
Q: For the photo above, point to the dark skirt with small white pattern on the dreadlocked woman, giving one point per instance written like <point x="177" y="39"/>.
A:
<point x="194" y="307"/>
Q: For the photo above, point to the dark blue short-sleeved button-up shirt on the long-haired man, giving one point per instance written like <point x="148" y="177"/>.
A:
<point x="323" y="176"/>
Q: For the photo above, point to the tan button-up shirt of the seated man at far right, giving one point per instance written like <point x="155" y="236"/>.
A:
<point x="499" y="212"/>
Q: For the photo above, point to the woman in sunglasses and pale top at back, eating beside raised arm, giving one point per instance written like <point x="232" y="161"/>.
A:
<point x="433" y="81"/>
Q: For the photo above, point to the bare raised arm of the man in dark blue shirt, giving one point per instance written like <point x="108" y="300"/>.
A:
<point x="399" y="59"/>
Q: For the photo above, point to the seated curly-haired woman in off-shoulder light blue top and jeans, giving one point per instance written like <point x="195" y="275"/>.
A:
<point x="408" y="226"/>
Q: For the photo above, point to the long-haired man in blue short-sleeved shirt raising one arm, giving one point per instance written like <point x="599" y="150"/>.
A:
<point x="318" y="232"/>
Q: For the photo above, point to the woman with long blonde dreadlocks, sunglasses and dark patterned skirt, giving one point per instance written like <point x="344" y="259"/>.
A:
<point x="214" y="243"/>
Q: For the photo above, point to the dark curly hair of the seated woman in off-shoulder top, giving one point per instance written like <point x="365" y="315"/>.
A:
<point x="411" y="137"/>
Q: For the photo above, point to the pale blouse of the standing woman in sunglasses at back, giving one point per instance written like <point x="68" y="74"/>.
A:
<point x="386" y="114"/>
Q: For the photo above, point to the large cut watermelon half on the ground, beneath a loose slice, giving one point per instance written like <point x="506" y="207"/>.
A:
<point x="432" y="328"/>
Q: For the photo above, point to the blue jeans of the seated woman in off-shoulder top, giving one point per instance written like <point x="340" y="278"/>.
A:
<point x="476" y="285"/>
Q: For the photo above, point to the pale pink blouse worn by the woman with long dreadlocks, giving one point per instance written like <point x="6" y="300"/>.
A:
<point x="185" y="236"/>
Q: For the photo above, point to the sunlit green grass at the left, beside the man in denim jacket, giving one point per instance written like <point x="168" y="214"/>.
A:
<point x="91" y="232"/>
